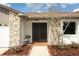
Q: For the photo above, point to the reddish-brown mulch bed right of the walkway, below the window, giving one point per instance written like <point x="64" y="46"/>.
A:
<point x="67" y="51"/>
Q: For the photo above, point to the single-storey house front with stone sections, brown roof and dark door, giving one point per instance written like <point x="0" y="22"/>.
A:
<point x="53" y="28"/>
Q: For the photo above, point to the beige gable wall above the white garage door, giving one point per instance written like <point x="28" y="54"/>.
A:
<point x="4" y="16"/>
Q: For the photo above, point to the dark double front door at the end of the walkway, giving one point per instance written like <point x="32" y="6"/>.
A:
<point x="39" y="32"/>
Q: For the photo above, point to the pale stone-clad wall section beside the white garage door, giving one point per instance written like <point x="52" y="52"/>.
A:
<point x="14" y="25"/>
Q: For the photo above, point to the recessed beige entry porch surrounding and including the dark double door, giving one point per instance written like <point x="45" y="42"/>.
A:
<point x="36" y="28"/>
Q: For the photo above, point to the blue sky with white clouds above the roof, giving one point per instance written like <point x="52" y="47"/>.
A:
<point x="44" y="7"/>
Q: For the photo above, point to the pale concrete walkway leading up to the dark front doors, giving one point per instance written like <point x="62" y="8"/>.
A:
<point x="39" y="51"/>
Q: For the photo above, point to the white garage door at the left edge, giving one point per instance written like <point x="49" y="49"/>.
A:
<point x="4" y="36"/>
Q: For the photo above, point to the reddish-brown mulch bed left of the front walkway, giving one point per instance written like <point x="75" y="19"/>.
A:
<point x="12" y="52"/>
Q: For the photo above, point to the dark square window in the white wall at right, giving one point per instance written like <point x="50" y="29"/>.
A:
<point x="69" y="27"/>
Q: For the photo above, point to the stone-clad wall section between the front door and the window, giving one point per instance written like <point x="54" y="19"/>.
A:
<point x="55" y="31"/>
